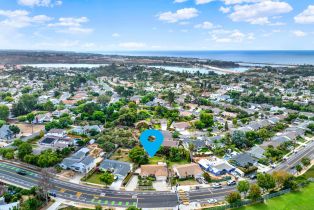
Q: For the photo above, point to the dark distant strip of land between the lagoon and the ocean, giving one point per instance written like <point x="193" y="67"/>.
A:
<point x="42" y="57"/>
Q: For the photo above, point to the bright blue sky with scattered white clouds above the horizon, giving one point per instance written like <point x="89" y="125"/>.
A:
<point x="118" y="25"/>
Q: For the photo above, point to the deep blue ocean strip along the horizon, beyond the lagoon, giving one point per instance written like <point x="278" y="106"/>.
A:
<point x="263" y="57"/>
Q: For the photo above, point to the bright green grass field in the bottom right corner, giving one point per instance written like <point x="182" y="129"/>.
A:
<point x="303" y="200"/>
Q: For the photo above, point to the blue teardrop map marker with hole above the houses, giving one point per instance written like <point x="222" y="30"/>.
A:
<point x="151" y="147"/>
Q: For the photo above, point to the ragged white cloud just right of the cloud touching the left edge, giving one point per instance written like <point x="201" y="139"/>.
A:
<point x="72" y="25"/>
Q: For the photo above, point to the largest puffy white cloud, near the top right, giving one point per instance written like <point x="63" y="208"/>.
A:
<point x="259" y="13"/>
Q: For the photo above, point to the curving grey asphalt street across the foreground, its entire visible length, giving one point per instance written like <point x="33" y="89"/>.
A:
<point x="153" y="199"/>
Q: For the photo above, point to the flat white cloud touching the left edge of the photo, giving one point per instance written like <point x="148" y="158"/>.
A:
<point x="21" y="18"/>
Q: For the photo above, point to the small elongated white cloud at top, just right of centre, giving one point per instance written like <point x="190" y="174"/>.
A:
<point x="182" y="14"/>
